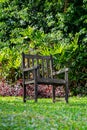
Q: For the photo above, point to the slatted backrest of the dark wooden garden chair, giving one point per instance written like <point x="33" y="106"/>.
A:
<point x="45" y="63"/>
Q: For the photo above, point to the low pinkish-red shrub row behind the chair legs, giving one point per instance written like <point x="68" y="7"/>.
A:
<point x="17" y="90"/>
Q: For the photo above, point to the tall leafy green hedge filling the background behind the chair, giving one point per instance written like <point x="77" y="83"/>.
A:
<point x="57" y="27"/>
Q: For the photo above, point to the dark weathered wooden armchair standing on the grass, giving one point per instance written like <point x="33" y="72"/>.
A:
<point x="39" y="70"/>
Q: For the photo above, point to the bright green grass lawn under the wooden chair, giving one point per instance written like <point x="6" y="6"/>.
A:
<point x="44" y="115"/>
